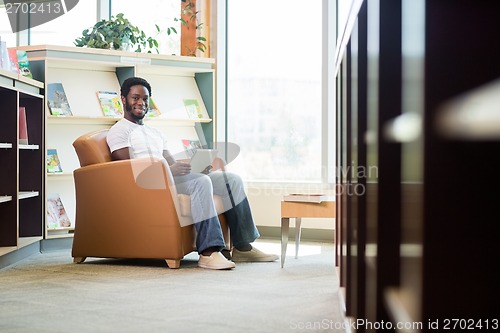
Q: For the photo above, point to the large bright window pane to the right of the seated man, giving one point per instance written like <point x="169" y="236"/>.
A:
<point x="274" y="100"/>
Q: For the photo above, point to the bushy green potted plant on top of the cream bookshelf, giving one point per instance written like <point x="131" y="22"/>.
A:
<point x="117" y="33"/>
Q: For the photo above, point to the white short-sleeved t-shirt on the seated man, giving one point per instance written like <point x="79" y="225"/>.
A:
<point x="142" y="140"/>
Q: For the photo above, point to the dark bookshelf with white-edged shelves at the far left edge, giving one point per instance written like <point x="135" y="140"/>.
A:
<point x="21" y="212"/>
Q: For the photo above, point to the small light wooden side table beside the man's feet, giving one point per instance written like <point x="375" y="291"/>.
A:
<point x="298" y="210"/>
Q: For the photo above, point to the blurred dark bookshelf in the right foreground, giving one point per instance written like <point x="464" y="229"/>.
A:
<point x="418" y="247"/>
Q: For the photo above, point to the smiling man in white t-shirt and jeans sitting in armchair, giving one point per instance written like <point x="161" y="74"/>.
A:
<point x="130" y="138"/>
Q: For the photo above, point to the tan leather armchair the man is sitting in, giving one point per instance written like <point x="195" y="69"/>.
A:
<point x="127" y="209"/>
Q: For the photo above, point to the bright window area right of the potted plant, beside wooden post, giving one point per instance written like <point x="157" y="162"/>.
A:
<point x="151" y="12"/>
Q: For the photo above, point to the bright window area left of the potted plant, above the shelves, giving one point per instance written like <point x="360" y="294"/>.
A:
<point x="66" y="28"/>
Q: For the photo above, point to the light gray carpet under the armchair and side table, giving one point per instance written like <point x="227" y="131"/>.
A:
<point x="48" y="293"/>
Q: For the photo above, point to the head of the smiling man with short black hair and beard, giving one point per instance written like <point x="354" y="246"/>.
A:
<point x="135" y="93"/>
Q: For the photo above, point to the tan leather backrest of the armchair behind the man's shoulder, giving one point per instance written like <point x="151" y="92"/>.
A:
<point x="92" y="148"/>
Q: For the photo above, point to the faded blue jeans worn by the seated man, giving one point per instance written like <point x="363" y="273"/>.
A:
<point x="237" y="210"/>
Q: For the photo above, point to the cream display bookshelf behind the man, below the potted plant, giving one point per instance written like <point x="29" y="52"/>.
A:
<point x="84" y="72"/>
